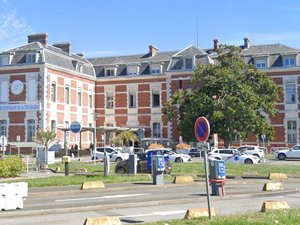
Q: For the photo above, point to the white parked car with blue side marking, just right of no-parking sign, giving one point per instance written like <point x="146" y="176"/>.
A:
<point x="233" y="156"/>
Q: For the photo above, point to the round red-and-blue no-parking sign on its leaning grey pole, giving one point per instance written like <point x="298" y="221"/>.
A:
<point x="202" y="131"/>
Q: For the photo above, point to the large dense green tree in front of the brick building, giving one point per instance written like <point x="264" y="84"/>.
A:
<point x="234" y="96"/>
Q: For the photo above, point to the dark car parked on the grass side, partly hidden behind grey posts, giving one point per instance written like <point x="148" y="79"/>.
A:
<point x="122" y="167"/>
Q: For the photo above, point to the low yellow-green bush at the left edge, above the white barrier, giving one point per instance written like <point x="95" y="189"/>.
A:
<point x="11" y="167"/>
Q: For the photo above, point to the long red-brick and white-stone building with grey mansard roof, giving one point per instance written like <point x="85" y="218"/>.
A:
<point x="47" y="86"/>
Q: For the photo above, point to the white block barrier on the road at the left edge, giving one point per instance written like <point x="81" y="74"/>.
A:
<point x="12" y="195"/>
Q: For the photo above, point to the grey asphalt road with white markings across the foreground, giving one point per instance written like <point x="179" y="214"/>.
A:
<point x="142" y="202"/>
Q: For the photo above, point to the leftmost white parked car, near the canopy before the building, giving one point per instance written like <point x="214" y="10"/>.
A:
<point x="115" y="154"/>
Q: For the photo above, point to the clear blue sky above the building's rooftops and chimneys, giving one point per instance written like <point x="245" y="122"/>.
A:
<point x="123" y="27"/>
